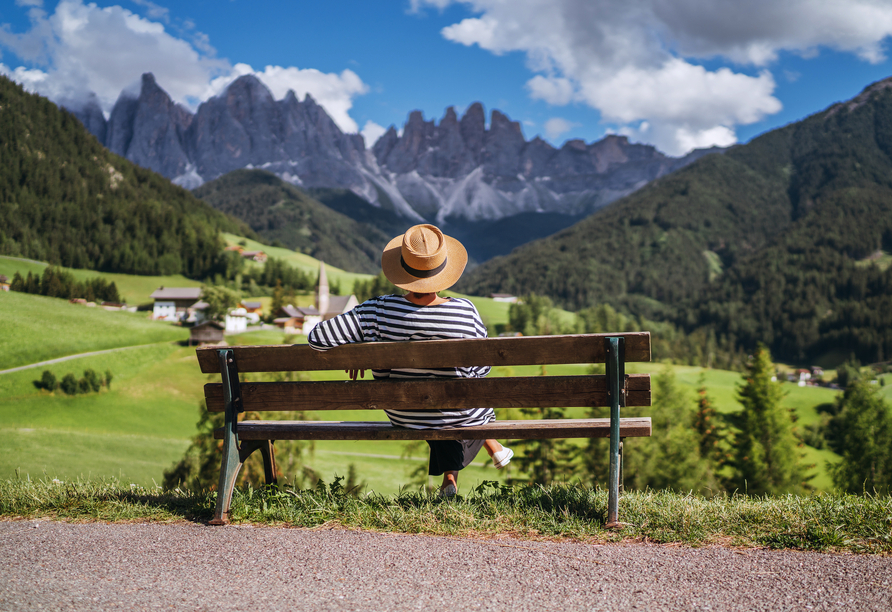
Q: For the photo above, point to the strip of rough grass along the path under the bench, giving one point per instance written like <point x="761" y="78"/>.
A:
<point x="825" y="523"/>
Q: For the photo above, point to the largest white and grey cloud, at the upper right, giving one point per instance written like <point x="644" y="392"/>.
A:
<point x="638" y="61"/>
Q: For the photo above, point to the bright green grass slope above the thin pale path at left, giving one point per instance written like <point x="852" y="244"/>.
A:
<point x="34" y="328"/>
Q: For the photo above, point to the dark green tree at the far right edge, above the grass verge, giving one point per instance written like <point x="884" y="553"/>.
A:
<point x="864" y="423"/>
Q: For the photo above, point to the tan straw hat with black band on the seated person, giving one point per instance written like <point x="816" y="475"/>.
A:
<point x="424" y="260"/>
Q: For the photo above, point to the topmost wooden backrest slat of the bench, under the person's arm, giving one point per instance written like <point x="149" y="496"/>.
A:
<point x="530" y="350"/>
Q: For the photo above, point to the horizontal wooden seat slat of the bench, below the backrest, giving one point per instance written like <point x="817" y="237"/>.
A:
<point x="382" y="430"/>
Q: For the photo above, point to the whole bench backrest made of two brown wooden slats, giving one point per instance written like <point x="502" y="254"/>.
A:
<point x="496" y="392"/>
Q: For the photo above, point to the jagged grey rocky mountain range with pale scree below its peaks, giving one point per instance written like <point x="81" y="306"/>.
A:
<point x="457" y="170"/>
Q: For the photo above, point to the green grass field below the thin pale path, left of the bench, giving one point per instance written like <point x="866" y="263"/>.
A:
<point x="134" y="430"/>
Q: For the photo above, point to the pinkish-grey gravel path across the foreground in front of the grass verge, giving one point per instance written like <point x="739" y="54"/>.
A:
<point x="59" y="566"/>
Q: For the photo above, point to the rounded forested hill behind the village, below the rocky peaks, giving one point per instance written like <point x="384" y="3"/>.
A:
<point x="280" y="212"/>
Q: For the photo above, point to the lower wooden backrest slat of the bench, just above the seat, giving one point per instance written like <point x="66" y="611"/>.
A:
<point x="458" y="394"/>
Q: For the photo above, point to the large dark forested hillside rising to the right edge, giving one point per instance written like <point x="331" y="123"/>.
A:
<point x="769" y="242"/>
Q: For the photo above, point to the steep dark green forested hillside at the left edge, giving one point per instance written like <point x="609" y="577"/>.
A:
<point x="66" y="199"/>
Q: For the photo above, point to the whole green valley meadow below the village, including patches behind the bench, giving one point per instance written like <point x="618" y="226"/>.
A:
<point x="144" y="422"/>
